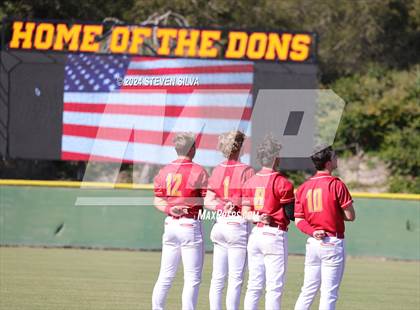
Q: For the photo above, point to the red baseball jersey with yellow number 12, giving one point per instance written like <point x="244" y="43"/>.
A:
<point x="182" y="183"/>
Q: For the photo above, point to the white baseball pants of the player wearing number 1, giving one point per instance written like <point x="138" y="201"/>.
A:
<point x="230" y="238"/>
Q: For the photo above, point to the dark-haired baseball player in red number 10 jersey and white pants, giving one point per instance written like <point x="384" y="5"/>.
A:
<point x="323" y="203"/>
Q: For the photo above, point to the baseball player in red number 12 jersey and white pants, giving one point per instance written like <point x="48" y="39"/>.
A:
<point x="180" y="188"/>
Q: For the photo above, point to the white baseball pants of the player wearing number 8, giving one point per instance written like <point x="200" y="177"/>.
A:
<point x="267" y="262"/>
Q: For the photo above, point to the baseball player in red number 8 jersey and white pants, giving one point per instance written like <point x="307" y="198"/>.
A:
<point x="270" y="196"/>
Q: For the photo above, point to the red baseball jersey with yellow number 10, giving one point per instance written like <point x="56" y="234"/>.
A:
<point x="321" y="200"/>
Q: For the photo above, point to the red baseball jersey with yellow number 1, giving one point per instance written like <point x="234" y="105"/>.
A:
<point x="227" y="180"/>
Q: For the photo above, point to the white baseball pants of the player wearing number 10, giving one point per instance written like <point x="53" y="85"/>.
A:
<point x="324" y="267"/>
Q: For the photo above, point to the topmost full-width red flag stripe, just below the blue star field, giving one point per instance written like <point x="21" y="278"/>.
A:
<point x="168" y="111"/>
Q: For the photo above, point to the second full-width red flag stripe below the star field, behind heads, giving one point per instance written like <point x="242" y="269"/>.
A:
<point x="205" y="141"/>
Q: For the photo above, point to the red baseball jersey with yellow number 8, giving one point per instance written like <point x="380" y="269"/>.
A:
<point x="267" y="192"/>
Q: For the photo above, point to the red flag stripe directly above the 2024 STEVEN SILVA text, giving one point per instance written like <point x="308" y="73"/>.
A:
<point x="187" y="70"/>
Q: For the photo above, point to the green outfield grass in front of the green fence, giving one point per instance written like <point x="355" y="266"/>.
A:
<point x="34" y="278"/>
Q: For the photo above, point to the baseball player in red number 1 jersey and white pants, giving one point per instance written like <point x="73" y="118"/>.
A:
<point x="230" y="233"/>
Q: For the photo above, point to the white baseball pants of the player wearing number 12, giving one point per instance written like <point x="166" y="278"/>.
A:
<point x="183" y="238"/>
